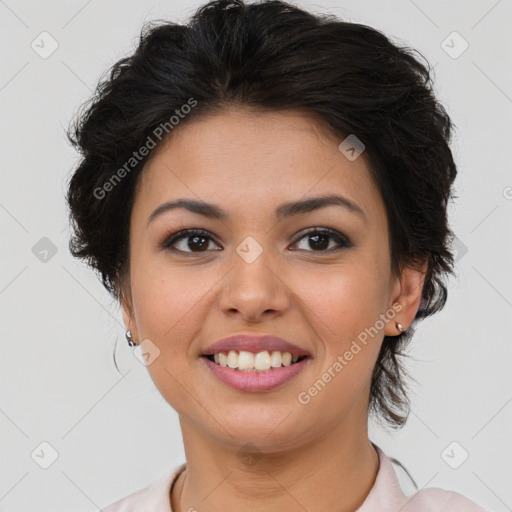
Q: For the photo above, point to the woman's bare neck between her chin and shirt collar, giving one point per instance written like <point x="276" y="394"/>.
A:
<point x="334" y="472"/>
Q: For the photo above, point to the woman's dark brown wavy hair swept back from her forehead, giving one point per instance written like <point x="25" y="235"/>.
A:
<point x="275" y="56"/>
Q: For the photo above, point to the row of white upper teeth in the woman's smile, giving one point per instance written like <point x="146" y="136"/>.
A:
<point x="248" y="361"/>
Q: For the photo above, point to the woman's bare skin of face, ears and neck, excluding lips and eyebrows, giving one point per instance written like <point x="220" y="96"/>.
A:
<point x="308" y="457"/>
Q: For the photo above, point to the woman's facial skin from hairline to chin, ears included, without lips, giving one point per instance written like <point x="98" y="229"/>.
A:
<point x="318" y="293"/>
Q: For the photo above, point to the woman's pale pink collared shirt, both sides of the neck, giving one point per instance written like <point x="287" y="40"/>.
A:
<point x="385" y="495"/>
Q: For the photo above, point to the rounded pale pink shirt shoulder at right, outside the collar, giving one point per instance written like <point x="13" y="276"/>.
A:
<point x="440" y="500"/>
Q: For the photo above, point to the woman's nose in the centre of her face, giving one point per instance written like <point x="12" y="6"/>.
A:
<point x="253" y="289"/>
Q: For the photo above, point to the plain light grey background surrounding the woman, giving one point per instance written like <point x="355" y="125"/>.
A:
<point x="113" y="432"/>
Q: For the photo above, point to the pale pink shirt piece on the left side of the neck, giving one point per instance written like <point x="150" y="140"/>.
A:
<point x="154" y="497"/>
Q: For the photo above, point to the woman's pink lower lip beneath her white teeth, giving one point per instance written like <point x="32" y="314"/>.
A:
<point x="255" y="381"/>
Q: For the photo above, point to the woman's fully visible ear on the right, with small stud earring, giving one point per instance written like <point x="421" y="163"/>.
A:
<point x="407" y="290"/>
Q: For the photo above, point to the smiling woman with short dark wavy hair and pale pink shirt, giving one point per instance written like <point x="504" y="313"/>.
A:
<point x="264" y="191"/>
